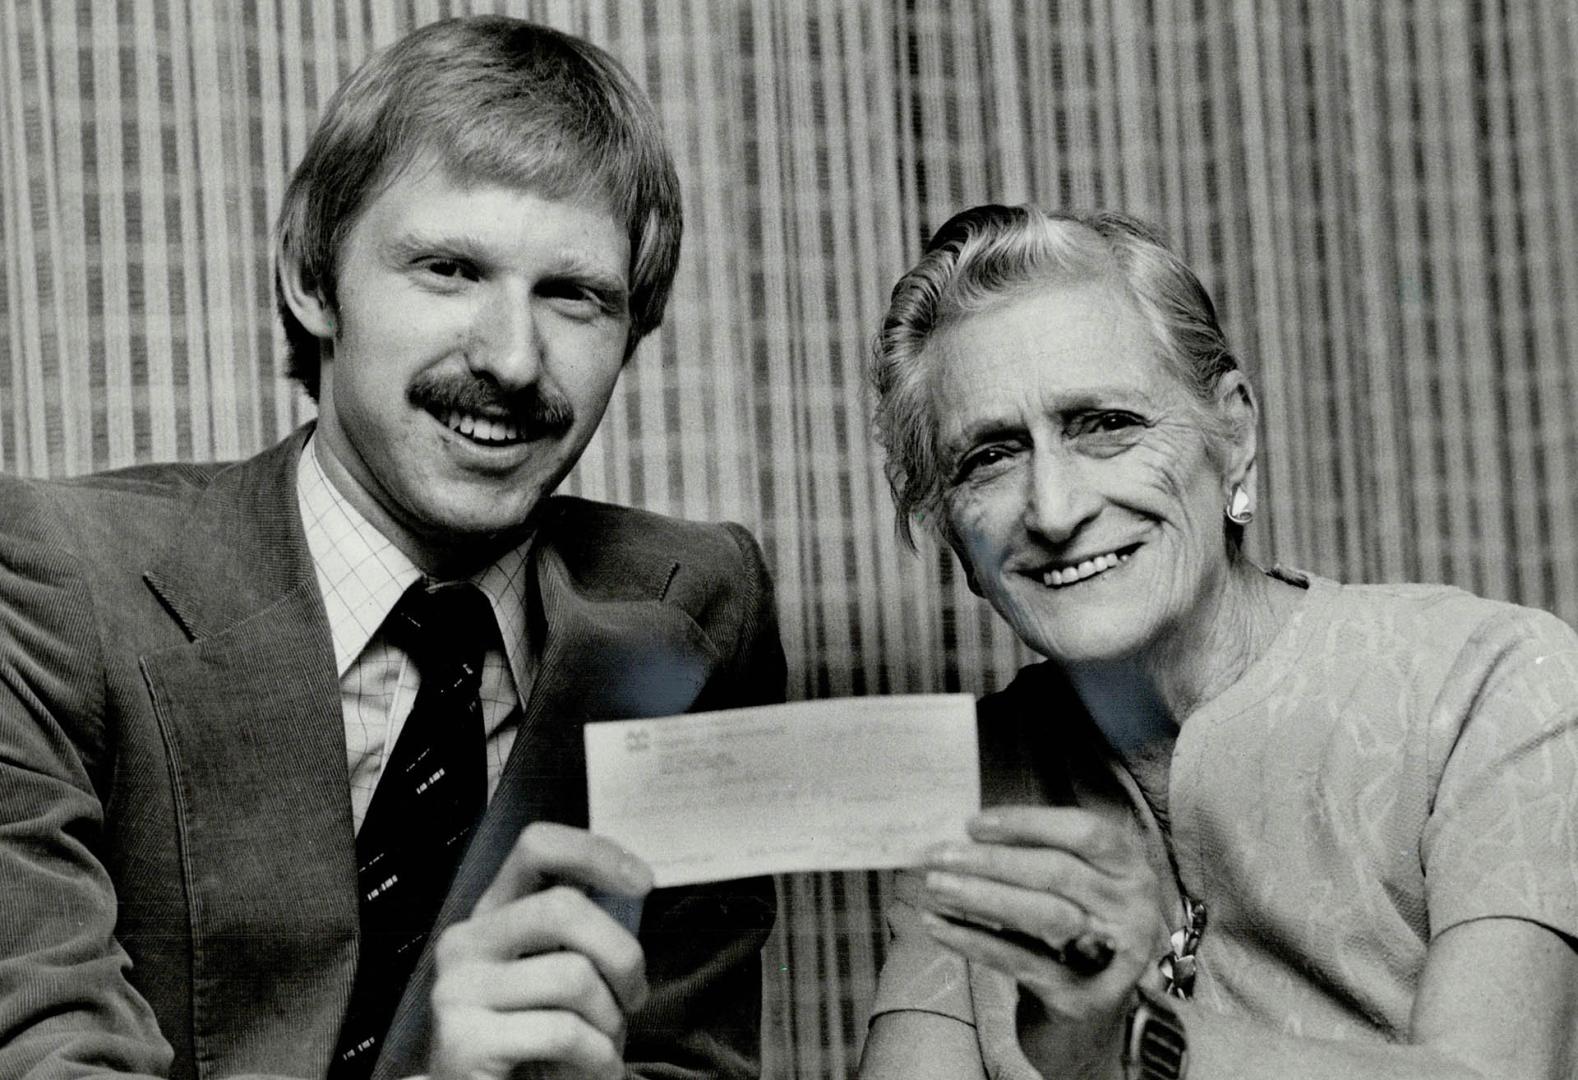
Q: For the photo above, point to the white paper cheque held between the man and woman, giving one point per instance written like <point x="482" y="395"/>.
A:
<point x="812" y="786"/>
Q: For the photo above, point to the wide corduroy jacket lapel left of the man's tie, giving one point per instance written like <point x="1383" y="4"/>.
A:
<point x="250" y="713"/>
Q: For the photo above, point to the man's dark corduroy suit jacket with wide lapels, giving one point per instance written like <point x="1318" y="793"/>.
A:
<point x="178" y="874"/>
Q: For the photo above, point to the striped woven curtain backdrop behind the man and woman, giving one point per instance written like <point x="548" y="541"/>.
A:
<point x="1383" y="198"/>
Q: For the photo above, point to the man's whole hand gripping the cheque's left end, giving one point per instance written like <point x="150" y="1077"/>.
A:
<point x="540" y="977"/>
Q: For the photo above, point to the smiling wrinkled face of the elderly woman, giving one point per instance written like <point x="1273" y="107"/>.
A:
<point x="1069" y="452"/>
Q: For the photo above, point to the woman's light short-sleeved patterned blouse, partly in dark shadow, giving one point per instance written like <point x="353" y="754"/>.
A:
<point x="1402" y="760"/>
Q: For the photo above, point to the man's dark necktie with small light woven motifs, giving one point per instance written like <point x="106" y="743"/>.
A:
<point x="427" y="804"/>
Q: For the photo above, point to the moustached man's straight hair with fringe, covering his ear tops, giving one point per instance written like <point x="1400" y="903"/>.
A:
<point x="490" y="100"/>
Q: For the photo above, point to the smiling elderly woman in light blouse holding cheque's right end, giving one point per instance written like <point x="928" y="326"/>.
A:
<point x="1241" y="822"/>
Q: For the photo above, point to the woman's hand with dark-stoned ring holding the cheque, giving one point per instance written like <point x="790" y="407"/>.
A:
<point x="1038" y="894"/>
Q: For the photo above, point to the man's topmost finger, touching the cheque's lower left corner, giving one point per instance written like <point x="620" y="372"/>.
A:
<point x="548" y="853"/>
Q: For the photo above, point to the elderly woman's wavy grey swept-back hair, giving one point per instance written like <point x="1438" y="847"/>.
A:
<point x="993" y="253"/>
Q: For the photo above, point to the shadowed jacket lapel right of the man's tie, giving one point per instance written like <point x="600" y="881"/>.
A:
<point x="599" y="659"/>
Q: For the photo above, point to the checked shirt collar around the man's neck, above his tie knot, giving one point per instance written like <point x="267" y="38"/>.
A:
<point x="362" y="576"/>
